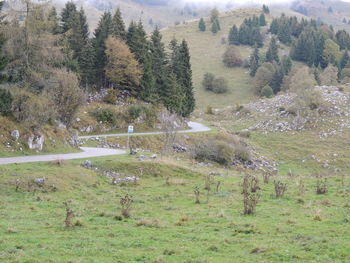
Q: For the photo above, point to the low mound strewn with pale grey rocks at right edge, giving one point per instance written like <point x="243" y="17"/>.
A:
<point x="272" y="115"/>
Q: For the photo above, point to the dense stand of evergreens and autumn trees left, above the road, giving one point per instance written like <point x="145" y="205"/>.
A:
<point x="50" y="61"/>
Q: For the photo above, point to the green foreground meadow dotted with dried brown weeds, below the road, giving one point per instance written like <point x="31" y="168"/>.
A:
<point x="210" y="232"/>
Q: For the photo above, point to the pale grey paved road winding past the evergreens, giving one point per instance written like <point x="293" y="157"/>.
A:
<point x="88" y="152"/>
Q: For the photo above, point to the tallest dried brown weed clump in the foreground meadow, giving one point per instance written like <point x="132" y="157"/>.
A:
<point x="250" y="194"/>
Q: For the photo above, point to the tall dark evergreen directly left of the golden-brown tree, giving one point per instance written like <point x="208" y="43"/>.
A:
<point x="103" y="30"/>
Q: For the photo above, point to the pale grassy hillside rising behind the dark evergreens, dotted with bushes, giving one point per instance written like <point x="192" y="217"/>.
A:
<point x="206" y="54"/>
